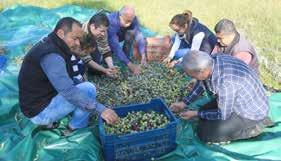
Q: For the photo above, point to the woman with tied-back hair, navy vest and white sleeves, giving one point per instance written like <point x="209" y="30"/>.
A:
<point x="190" y="35"/>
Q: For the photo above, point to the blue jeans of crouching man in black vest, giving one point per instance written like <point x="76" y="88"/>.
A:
<point x="59" y="107"/>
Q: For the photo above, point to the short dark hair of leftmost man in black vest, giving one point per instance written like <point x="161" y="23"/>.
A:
<point x="66" y="24"/>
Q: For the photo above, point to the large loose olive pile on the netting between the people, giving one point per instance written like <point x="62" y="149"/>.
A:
<point x="156" y="80"/>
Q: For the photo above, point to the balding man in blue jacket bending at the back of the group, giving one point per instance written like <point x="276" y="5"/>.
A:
<point x="124" y="26"/>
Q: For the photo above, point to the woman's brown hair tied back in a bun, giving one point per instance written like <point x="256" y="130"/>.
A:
<point x="182" y="19"/>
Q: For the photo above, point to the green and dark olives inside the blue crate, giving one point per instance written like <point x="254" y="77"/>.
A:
<point x="137" y="121"/>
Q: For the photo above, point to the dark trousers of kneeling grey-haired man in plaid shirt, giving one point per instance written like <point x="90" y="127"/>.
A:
<point x="234" y="128"/>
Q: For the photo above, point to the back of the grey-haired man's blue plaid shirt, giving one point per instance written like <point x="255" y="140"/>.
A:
<point x="248" y="89"/>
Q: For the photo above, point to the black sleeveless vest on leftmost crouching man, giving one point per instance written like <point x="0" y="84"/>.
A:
<point x="35" y="90"/>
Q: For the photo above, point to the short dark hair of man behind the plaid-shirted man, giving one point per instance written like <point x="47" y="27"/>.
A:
<point x="225" y="26"/>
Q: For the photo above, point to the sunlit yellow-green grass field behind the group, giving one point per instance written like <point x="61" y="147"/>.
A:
<point x="259" y="20"/>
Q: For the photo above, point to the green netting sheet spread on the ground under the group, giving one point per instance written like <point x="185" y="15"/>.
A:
<point x="22" y="26"/>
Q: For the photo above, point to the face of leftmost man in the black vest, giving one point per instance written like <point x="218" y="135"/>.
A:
<point x="72" y="38"/>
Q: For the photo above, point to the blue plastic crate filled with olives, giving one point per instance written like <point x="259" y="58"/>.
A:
<point x="144" y="131"/>
